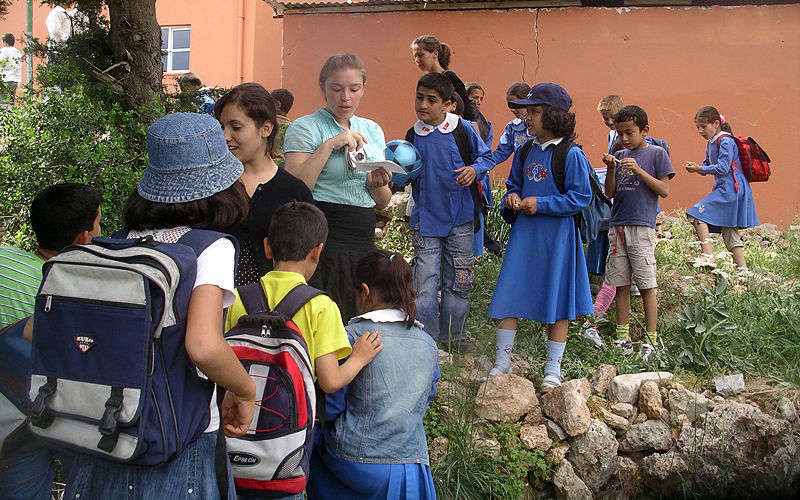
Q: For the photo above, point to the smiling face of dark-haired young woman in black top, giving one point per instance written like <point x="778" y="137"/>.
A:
<point x="245" y="140"/>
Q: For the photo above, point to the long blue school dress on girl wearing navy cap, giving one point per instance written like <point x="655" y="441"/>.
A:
<point x="543" y="276"/>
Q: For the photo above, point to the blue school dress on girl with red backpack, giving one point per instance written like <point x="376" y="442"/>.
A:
<point x="730" y="203"/>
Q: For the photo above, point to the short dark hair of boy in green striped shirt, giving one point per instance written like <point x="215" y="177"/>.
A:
<point x="60" y="212"/>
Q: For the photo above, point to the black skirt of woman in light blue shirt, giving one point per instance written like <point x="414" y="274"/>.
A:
<point x="351" y="235"/>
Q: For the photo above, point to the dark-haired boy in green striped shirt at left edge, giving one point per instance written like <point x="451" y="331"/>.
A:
<point x="61" y="215"/>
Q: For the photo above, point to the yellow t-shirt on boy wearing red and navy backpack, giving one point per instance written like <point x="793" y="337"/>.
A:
<point x="319" y="320"/>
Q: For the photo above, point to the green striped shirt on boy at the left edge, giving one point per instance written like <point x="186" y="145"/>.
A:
<point x="20" y="277"/>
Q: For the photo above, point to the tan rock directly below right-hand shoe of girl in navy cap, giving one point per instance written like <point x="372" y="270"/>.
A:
<point x="566" y="405"/>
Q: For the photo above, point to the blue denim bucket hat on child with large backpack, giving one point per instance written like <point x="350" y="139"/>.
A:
<point x="188" y="159"/>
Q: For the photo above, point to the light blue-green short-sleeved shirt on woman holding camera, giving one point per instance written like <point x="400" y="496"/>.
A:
<point x="335" y="184"/>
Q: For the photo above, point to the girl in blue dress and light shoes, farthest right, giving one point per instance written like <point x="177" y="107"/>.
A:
<point x="730" y="205"/>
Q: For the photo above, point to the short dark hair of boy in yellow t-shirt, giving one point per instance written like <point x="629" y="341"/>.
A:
<point x="295" y="229"/>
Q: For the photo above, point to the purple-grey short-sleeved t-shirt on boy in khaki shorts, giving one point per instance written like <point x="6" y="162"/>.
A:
<point x="635" y="204"/>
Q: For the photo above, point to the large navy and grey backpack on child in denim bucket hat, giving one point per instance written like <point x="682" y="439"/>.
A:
<point x="110" y="375"/>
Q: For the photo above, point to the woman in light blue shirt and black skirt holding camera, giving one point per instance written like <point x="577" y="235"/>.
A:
<point x="315" y="147"/>
